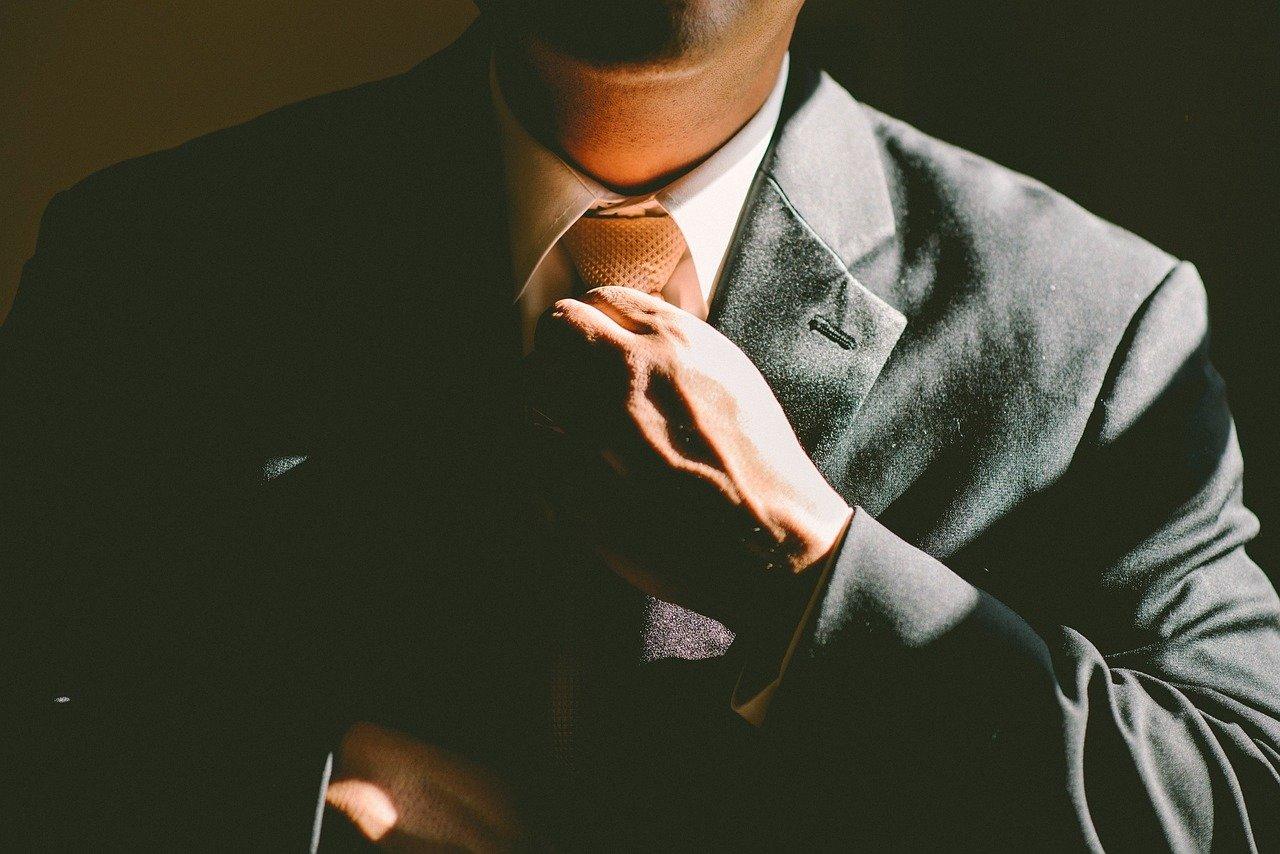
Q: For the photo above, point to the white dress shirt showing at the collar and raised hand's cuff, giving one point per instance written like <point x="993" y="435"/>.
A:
<point x="546" y="197"/>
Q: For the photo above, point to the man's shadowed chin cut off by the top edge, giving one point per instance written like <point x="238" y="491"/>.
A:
<point x="627" y="33"/>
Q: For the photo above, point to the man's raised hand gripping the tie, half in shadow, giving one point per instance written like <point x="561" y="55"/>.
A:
<point x="705" y="496"/>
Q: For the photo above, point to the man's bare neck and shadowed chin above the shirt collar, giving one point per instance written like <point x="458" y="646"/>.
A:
<point x="637" y="93"/>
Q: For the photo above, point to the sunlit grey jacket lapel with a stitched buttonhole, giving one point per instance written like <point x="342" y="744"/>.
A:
<point x="788" y="298"/>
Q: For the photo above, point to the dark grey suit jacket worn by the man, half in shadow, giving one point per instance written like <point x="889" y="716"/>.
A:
<point x="263" y="477"/>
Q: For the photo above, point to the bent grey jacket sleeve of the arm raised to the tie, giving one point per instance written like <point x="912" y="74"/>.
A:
<point x="1144" y="716"/>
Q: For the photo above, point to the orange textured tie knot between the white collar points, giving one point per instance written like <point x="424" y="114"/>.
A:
<point x="634" y="252"/>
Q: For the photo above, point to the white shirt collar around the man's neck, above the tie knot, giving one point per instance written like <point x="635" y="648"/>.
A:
<point x="547" y="195"/>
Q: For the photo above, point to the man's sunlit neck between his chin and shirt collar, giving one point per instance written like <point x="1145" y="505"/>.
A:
<point x="637" y="130"/>
